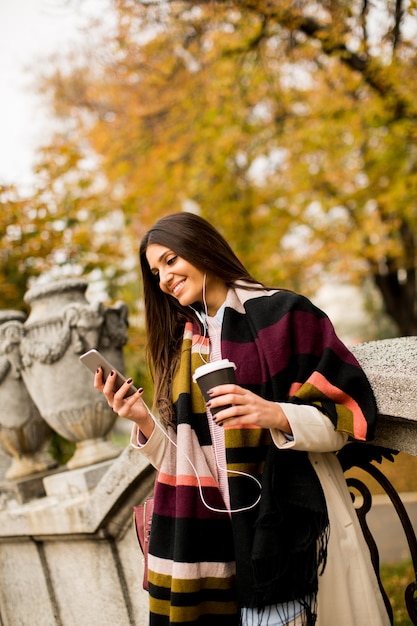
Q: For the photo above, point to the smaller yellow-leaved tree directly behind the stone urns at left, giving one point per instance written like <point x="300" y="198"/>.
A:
<point x="73" y="236"/>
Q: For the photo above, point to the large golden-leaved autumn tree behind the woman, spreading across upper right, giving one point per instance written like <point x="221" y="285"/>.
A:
<point x="291" y="126"/>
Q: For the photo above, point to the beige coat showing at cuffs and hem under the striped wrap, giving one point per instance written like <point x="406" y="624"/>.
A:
<point x="348" y="589"/>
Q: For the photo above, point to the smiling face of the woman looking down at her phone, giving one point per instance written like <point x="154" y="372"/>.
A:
<point x="181" y="279"/>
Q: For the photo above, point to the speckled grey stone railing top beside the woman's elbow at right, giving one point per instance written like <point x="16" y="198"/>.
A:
<point x="391" y="366"/>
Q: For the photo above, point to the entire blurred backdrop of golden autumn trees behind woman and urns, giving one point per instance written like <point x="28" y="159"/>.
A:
<point x="291" y="126"/>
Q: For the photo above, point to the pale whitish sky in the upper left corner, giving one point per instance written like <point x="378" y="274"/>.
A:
<point x="30" y="30"/>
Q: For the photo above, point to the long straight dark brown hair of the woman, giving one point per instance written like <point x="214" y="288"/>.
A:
<point x="199" y="243"/>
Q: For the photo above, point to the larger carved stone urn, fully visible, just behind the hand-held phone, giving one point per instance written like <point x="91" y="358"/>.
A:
<point x="62" y="324"/>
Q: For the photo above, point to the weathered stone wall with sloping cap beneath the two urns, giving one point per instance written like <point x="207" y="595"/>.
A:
<point x="71" y="557"/>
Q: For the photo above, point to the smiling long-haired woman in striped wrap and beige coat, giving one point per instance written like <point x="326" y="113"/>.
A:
<point x="253" y="522"/>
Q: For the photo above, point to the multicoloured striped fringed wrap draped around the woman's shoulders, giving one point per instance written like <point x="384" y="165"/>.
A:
<point x="204" y="562"/>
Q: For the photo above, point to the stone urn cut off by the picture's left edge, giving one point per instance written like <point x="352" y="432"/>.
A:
<point x="24" y="434"/>
